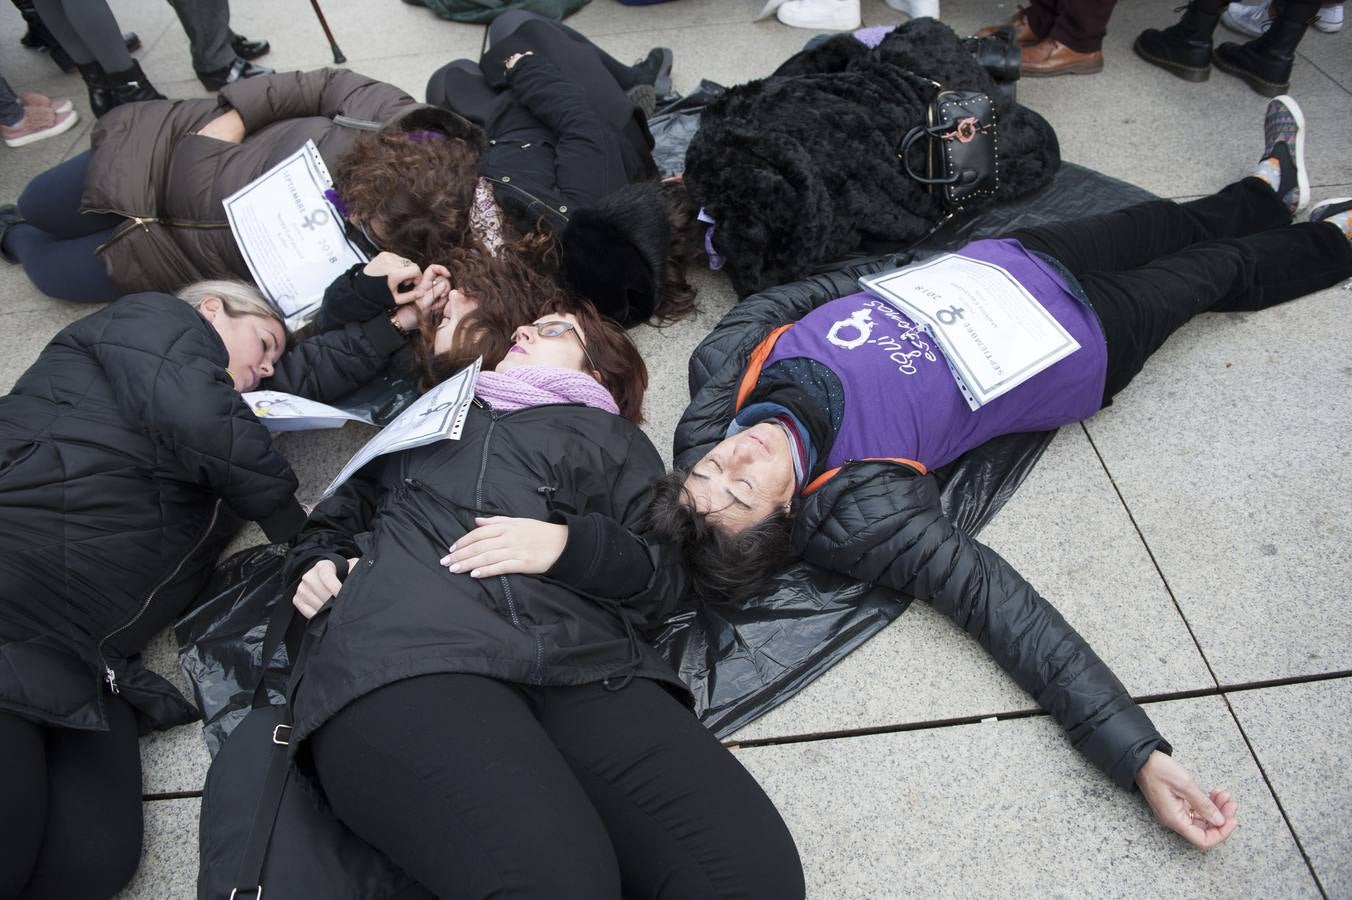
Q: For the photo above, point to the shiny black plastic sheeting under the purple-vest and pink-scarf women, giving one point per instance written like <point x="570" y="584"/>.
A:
<point x="740" y="661"/>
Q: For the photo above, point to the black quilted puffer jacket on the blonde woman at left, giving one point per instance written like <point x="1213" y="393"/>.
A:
<point x="126" y="463"/>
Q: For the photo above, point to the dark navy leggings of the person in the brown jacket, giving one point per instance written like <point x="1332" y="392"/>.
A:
<point x="56" y="243"/>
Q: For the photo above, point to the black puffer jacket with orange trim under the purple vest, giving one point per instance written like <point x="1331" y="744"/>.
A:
<point x="884" y="525"/>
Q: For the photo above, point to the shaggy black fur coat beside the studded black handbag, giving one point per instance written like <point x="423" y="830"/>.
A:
<point x="801" y="168"/>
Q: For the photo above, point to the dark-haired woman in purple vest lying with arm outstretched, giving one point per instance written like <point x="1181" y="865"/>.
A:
<point x="840" y="416"/>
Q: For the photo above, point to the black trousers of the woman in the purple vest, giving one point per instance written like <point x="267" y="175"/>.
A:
<point x="1149" y="270"/>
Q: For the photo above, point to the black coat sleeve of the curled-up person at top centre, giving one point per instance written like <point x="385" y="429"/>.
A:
<point x="589" y="161"/>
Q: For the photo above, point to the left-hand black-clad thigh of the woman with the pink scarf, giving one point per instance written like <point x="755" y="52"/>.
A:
<point x="455" y="780"/>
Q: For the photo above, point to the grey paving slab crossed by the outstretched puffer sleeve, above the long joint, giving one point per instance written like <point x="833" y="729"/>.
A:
<point x="1069" y="536"/>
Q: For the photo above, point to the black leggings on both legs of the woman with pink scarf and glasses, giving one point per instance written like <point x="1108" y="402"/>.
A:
<point x="483" y="789"/>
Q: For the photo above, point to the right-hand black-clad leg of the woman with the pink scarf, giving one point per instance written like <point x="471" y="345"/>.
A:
<point x="685" y="817"/>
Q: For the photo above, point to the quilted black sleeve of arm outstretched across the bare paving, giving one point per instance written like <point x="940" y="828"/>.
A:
<point x="882" y="524"/>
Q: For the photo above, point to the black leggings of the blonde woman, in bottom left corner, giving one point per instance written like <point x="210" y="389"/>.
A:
<point x="71" y="802"/>
